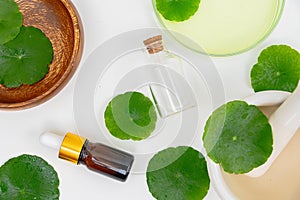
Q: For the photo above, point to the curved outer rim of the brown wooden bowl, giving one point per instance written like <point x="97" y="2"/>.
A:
<point x="68" y="74"/>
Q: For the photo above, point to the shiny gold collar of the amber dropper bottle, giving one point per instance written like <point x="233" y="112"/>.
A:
<point x="71" y="147"/>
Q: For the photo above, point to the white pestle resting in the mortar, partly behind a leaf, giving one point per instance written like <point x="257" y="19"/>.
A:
<point x="285" y="121"/>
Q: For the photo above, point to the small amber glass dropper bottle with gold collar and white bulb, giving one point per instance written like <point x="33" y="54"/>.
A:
<point x="97" y="157"/>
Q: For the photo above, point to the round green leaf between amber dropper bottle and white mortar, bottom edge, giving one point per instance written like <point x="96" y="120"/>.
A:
<point x="178" y="173"/>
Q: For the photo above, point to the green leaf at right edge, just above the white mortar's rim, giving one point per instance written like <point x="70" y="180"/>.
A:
<point x="278" y="68"/>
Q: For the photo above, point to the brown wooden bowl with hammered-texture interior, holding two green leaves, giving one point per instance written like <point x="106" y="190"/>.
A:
<point x="60" y="21"/>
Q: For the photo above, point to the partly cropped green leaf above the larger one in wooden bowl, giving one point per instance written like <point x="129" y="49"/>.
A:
<point x="11" y="20"/>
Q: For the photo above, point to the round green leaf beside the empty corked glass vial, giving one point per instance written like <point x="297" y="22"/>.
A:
<point x="130" y="116"/>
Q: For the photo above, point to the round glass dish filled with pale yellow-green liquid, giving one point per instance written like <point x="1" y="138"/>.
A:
<point x="226" y="27"/>
